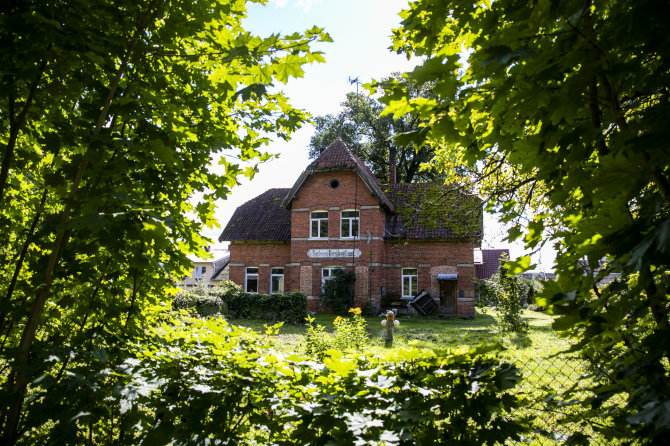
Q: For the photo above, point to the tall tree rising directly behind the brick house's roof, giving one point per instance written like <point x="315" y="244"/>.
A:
<point x="369" y="134"/>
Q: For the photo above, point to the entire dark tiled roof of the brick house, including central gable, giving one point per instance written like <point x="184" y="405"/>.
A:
<point x="268" y="216"/>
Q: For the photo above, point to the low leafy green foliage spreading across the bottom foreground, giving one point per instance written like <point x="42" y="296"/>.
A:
<point x="197" y="381"/>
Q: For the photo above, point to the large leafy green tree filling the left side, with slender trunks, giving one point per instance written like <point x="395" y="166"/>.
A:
<point x="110" y="115"/>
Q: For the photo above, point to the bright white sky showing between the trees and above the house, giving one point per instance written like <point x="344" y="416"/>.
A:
<point x="361" y="31"/>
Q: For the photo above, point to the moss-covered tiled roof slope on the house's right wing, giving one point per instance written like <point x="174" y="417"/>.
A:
<point x="415" y="219"/>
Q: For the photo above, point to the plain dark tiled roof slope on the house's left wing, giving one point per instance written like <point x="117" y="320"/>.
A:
<point x="260" y="219"/>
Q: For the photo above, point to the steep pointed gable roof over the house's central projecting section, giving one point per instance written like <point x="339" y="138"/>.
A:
<point x="337" y="156"/>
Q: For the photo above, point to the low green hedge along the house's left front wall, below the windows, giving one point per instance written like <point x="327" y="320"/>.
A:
<point x="228" y="299"/>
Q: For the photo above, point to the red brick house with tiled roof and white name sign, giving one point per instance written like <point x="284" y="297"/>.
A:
<point x="338" y="215"/>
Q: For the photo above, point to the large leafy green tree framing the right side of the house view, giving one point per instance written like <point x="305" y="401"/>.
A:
<point x="560" y="116"/>
